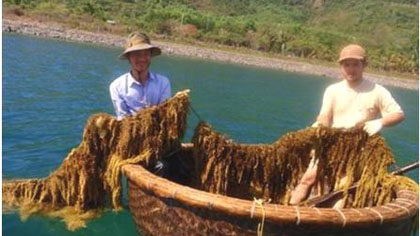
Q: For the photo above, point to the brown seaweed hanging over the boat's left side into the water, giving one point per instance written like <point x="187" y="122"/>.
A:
<point x="89" y="177"/>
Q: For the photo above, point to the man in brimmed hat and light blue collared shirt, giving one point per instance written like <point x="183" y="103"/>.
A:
<point x="139" y="88"/>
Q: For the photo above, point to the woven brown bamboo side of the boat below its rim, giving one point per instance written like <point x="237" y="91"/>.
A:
<point x="156" y="216"/>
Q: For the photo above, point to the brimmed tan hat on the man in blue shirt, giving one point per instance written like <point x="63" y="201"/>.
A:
<point x="137" y="42"/>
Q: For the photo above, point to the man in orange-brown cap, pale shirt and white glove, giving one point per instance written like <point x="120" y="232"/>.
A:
<point x="354" y="101"/>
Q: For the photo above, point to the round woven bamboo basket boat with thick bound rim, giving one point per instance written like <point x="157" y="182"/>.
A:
<point x="162" y="207"/>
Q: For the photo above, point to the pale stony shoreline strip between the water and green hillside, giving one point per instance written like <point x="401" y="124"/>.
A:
<point x="56" y="31"/>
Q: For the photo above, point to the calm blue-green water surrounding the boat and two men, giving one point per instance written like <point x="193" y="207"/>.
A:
<point x="50" y="88"/>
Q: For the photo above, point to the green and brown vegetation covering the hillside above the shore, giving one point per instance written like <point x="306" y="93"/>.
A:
<point x="300" y="28"/>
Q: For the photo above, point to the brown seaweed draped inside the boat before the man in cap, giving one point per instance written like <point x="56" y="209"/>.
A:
<point x="272" y="171"/>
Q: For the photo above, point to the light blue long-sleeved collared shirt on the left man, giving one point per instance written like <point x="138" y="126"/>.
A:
<point x="129" y="96"/>
